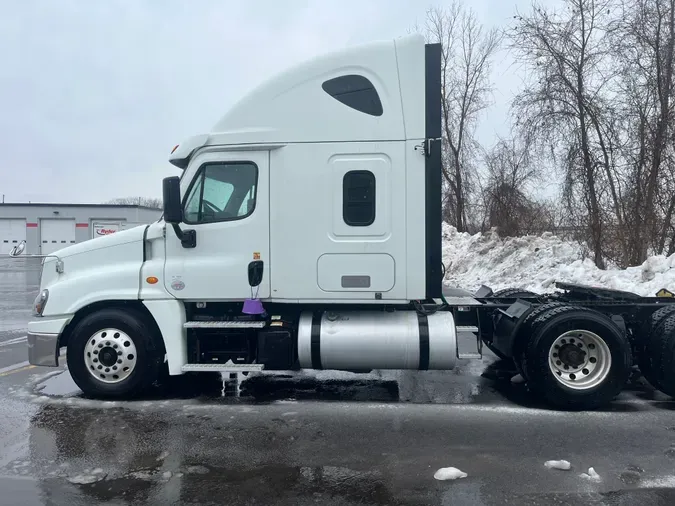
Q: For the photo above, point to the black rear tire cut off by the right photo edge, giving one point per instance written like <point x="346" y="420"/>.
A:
<point x="661" y="351"/>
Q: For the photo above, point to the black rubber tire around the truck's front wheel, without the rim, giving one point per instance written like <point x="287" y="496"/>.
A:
<point x="149" y="354"/>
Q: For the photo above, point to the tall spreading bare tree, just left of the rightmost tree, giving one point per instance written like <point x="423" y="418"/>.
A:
<point x="563" y="106"/>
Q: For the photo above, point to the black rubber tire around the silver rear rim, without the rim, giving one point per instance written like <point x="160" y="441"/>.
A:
<point x="551" y="324"/>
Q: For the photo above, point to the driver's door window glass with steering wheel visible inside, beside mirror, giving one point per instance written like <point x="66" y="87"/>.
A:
<point x="222" y="191"/>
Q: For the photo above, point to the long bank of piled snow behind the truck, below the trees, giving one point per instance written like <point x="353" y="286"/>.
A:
<point x="535" y="262"/>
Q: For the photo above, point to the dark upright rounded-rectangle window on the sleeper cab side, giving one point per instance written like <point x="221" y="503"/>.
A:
<point x="358" y="198"/>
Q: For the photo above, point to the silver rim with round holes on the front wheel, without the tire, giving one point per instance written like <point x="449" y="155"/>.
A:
<point x="110" y="355"/>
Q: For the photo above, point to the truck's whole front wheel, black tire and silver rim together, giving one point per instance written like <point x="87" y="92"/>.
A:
<point x="112" y="353"/>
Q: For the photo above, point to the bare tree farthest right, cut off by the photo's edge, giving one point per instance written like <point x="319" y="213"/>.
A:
<point x="644" y="38"/>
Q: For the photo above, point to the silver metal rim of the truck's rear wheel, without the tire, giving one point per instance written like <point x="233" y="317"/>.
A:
<point x="580" y="359"/>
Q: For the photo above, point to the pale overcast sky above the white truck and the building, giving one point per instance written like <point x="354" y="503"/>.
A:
<point x="94" y="94"/>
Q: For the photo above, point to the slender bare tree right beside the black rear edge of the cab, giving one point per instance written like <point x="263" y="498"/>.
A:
<point x="467" y="50"/>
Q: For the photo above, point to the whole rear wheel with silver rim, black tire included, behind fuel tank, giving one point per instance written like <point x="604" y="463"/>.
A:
<point x="576" y="358"/>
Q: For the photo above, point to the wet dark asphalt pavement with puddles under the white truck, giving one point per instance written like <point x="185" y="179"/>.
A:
<point x="316" y="438"/>
